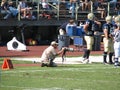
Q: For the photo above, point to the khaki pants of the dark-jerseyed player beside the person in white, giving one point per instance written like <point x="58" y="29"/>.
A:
<point x="108" y="45"/>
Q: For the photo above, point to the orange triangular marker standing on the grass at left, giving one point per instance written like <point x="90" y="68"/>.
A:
<point x="7" y="64"/>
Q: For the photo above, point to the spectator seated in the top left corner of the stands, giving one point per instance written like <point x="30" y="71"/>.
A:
<point x="4" y="9"/>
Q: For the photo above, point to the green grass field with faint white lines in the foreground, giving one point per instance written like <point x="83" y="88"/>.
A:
<point x="64" y="77"/>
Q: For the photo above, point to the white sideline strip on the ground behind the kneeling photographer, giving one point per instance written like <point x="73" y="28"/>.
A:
<point x="68" y="60"/>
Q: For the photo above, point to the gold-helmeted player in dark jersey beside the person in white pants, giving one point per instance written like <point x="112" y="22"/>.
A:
<point x="108" y="28"/>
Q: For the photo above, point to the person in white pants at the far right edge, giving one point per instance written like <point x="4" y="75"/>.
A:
<point x="116" y="35"/>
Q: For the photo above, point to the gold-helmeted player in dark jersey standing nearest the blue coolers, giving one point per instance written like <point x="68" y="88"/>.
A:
<point x="89" y="35"/>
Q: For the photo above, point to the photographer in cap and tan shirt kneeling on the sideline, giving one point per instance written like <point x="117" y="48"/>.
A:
<point x="49" y="55"/>
